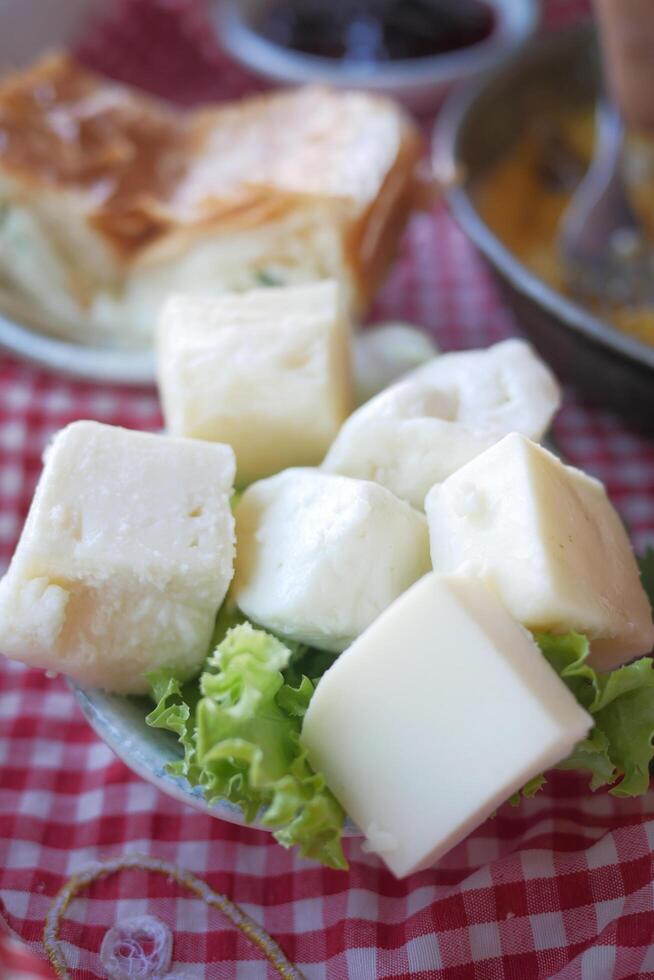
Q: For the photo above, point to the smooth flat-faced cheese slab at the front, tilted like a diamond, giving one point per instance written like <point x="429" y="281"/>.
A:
<point x="440" y="711"/>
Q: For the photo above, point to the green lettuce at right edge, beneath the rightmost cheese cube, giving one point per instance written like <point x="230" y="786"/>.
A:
<point x="618" y="749"/>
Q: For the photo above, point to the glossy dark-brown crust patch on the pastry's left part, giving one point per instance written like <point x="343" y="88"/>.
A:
<point x="62" y="126"/>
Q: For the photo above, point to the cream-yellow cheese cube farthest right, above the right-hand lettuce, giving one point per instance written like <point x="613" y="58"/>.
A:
<point x="546" y="537"/>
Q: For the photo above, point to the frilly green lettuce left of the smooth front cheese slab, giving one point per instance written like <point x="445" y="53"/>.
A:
<point x="241" y="738"/>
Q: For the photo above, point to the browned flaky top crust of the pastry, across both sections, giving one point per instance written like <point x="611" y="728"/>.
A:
<point x="151" y="177"/>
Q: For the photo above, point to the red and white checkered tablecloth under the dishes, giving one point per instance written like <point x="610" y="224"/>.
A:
<point x="560" y="887"/>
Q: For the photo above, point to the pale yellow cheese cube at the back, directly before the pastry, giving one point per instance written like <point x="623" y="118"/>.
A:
<point x="267" y="372"/>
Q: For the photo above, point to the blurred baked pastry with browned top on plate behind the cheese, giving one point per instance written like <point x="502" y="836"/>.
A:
<point x="111" y="200"/>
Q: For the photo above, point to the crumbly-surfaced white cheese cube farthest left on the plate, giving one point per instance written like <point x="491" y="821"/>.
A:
<point x="125" y="557"/>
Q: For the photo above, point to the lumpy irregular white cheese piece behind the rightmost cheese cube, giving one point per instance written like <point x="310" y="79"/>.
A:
<point x="440" y="416"/>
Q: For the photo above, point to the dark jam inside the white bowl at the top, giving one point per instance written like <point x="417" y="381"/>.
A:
<point x="375" y="30"/>
